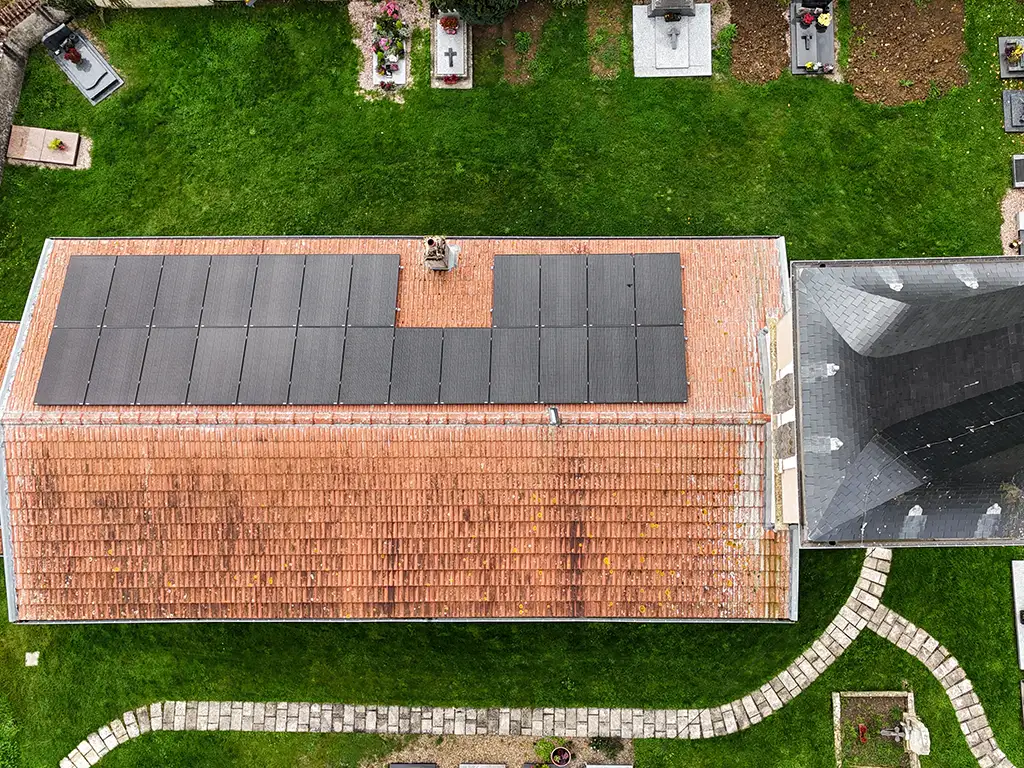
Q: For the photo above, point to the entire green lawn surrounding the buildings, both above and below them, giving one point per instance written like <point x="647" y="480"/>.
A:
<point x="245" y="122"/>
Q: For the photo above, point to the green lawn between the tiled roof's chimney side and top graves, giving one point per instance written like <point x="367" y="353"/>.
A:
<point x="244" y="122"/>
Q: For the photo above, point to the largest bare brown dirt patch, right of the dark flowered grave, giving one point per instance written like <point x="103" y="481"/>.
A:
<point x="903" y="53"/>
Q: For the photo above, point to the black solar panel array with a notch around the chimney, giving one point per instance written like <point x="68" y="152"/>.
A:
<point x="321" y="330"/>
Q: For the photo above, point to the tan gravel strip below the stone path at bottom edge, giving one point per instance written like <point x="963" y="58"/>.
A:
<point x="450" y="752"/>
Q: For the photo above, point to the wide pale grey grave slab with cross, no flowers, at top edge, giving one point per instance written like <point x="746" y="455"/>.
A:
<point x="654" y="55"/>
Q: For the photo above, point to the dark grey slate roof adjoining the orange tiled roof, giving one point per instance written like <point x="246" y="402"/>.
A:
<point x="912" y="400"/>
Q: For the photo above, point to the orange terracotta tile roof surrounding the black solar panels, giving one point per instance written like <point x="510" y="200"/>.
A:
<point x="273" y="513"/>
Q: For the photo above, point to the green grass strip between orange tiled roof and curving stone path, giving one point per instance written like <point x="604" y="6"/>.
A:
<point x="90" y="675"/>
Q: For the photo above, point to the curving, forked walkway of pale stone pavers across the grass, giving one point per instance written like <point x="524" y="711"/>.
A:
<point x="863" y="610"/>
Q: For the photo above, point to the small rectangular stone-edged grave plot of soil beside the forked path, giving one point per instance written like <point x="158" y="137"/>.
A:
<point x="859" y="718"/>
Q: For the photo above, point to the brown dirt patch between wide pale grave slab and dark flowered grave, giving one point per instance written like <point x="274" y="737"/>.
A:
<point x="760" y="52"/>
